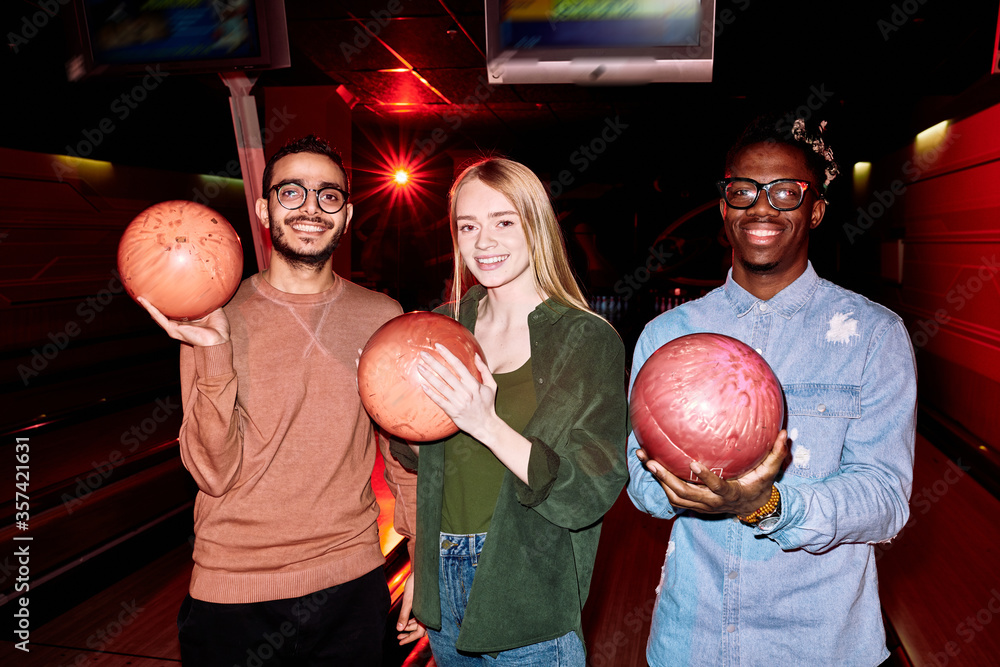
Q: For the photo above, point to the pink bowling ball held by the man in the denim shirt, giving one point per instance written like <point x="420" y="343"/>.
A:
<point x="709" y="398"/>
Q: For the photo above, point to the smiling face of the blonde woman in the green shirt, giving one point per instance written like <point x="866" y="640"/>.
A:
<point x="491" y="238"/>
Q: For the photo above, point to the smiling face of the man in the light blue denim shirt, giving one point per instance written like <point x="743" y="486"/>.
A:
<point x="770" y="247"/>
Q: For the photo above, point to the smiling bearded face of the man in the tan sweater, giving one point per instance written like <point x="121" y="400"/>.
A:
<point x="307" y="236"/>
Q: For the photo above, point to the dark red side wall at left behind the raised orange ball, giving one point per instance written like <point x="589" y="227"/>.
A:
<point x="59" y="230"/>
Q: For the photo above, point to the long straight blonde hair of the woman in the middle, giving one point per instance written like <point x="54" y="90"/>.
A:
<point x="552" y="273"/>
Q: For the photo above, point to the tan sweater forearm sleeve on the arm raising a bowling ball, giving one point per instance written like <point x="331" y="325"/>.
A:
<point x="211" y="435"/>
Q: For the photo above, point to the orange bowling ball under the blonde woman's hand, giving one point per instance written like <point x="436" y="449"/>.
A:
<point x="390" y="384"/>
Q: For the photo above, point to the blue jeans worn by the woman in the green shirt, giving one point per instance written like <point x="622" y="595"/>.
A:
<point x="459" y="558"/>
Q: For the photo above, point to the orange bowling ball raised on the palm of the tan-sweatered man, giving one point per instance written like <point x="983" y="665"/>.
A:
<point x="183" y="257"/>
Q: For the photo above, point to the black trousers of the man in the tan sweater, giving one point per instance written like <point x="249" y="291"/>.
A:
<point x="340" y="625"/>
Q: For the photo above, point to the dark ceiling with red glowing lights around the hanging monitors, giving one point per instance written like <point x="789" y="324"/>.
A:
<point x="877" y="70"/>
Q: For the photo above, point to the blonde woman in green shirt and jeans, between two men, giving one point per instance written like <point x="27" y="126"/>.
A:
<point x="510" y="508"/>
